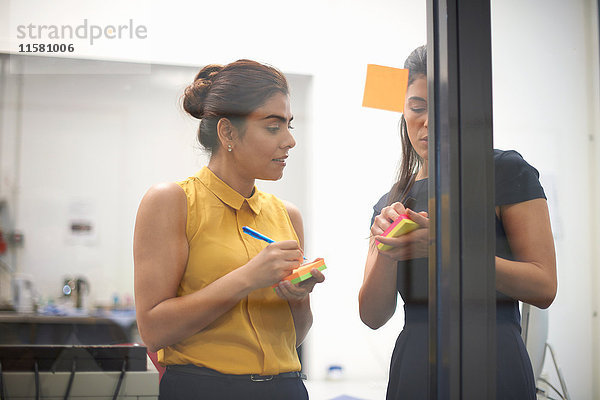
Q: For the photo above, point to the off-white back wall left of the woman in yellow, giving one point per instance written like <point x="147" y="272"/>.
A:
<point x="97" y="143"/>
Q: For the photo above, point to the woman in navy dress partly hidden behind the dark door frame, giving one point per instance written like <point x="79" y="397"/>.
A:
<point x="525" y="259"/>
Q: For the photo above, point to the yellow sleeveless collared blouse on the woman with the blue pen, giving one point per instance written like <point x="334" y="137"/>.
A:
<point x="257" y="335"/>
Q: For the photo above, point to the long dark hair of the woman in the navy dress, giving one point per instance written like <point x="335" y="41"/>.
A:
<point x="411" y="162"/>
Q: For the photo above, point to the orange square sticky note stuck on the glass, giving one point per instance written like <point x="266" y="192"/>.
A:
<point x="385" y="88"/>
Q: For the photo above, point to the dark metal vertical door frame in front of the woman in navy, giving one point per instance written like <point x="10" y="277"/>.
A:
<point x="462" y="309"/>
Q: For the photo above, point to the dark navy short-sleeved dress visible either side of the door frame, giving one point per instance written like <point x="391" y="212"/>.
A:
<point x="516" y="181"/>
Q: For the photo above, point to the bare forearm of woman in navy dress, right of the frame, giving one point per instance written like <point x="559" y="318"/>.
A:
<point x="525" y="281"/>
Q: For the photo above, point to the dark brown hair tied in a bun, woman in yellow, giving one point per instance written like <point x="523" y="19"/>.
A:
<point x="232" y="91"/>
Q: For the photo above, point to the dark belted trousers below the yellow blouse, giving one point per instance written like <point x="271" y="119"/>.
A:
<point x="179" y="385"/>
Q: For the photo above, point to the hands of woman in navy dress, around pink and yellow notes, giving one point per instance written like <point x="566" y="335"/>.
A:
<point x="411" y="245"/>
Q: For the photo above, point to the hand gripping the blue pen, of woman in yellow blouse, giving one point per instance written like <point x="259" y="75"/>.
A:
<point x="274" y="262"/>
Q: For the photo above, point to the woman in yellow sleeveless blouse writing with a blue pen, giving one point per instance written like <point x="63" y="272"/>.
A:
<point x="203" y="288"/>
